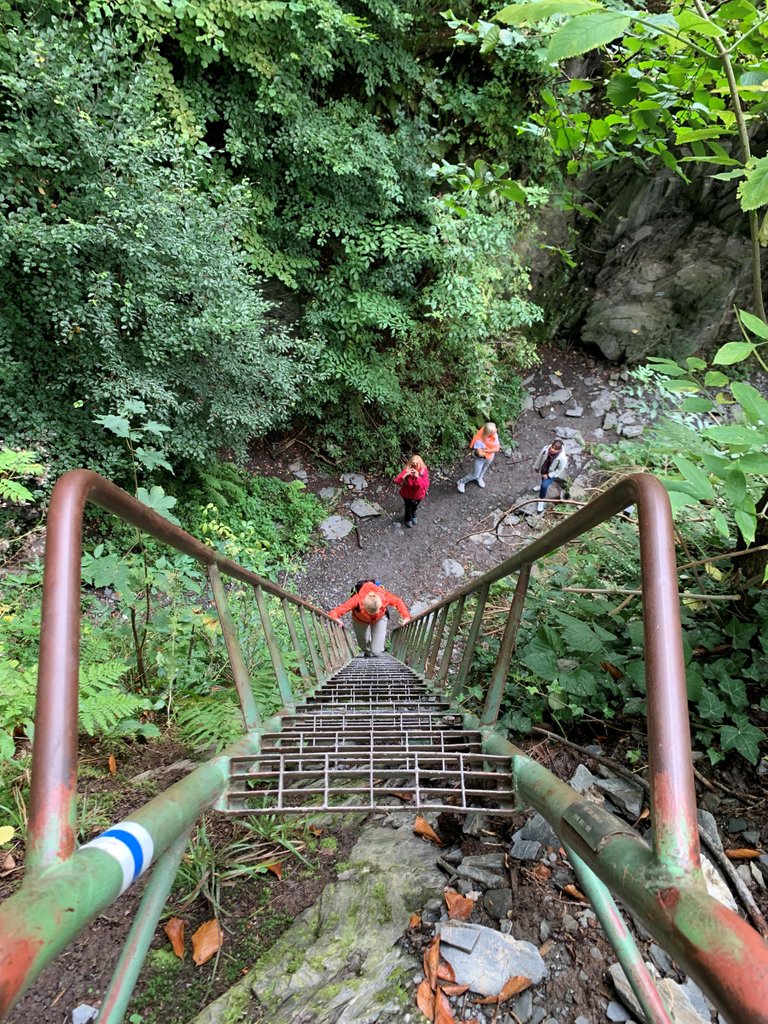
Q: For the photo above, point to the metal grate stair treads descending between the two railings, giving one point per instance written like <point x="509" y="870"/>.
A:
<point x="374" y="737"/>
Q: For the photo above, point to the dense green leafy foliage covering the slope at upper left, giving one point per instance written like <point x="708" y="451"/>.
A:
<point x="229" y="212"/>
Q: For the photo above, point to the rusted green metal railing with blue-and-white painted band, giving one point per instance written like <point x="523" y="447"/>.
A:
<point x="88" y="881"/>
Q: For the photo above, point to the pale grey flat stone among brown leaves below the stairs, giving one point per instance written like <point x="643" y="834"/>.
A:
<point x="485" y="959"/>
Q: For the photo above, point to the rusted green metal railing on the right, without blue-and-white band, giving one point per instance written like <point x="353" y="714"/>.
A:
<point x="663" y="885"/>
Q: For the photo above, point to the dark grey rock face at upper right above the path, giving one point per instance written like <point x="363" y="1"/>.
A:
<point x="659" y="273"/>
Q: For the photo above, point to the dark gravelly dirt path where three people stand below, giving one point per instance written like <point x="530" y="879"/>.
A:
<point x="452" y="526"/>
